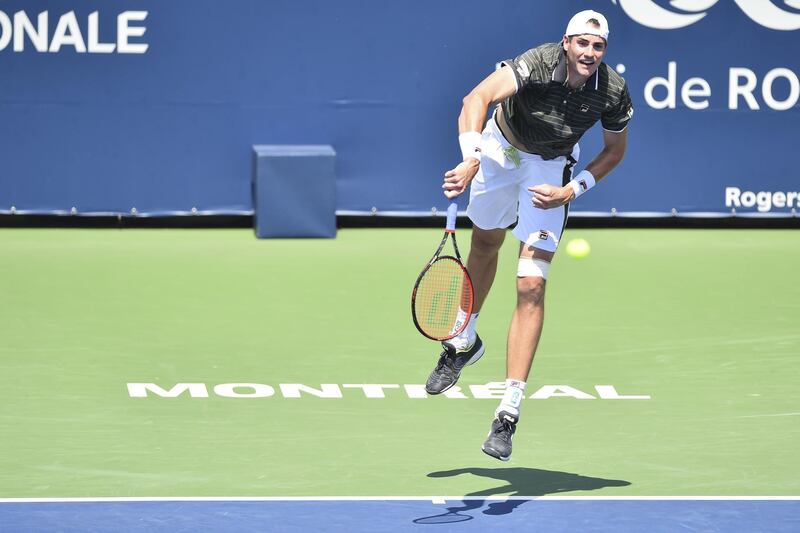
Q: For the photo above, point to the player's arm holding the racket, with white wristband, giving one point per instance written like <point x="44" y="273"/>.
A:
<point x="496" y="87"/>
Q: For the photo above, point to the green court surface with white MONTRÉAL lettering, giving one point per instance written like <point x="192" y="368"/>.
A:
<point x="703" y="322"/>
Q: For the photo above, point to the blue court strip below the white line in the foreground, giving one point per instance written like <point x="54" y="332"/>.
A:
<point x="397" y="514"/>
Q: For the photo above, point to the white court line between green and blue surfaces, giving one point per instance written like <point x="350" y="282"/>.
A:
<point x="433" y="499"/>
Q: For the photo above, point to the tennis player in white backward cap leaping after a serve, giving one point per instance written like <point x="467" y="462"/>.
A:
<point x="520" y="169"/>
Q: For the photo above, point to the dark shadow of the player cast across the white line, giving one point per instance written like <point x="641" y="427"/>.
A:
<point x="519" y="482"/>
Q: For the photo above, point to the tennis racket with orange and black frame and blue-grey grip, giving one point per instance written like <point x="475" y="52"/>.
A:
<point x="441" y="289"/>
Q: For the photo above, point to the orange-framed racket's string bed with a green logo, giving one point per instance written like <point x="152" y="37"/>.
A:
<point x="443" y="289"/>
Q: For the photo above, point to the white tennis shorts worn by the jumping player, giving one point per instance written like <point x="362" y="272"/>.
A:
<point x="499" y="193"/>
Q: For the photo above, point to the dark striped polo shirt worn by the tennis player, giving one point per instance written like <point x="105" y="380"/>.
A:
<point x="546" y="117"/>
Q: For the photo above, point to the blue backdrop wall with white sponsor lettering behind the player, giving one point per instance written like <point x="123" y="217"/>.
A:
<point x="107" y="106"/>
